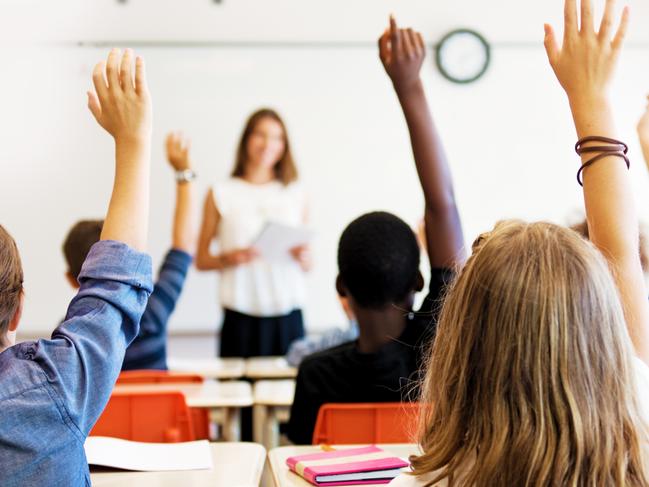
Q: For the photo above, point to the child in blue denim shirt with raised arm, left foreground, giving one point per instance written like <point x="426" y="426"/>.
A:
<point x="52" y="391"/>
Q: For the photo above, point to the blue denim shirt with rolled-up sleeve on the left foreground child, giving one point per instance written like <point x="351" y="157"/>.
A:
<point x="53" y="391"/>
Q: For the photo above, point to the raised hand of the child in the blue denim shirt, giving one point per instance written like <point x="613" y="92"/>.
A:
<point x="121" y="103"/>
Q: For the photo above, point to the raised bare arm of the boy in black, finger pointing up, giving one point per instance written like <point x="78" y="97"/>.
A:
<point x="402" y="53"/>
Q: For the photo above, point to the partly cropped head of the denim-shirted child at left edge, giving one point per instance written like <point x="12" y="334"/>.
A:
<point x="11" y="287"/>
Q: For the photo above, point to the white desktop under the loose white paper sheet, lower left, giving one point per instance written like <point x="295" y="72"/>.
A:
<point x="235" y="465"/>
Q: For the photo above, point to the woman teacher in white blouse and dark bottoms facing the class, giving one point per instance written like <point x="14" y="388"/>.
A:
<point x="261" y="299"/>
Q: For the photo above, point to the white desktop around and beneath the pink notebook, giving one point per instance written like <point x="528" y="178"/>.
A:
<point x="283" y="477"/>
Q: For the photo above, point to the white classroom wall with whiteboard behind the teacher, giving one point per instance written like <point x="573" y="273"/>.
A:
<point x="509" y="136"/>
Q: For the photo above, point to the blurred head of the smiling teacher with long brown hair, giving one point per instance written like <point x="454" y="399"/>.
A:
<point x="264" y="144"/>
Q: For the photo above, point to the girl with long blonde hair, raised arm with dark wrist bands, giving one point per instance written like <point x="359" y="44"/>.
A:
<point x="538" y="374"/>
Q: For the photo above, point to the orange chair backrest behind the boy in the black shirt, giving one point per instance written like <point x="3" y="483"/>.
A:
<point x="352" y="423"/>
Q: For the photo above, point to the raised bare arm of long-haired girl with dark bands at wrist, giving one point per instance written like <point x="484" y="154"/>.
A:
<point x="584" y="66"/>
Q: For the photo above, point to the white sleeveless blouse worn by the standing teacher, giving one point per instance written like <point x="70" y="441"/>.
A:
<point x="259" y="288"/>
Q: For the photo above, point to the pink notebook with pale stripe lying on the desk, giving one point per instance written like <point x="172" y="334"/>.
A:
<point x="351" y="466"/>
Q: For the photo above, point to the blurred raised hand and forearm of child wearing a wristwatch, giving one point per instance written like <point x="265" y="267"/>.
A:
<point x="184" y="229"/>
